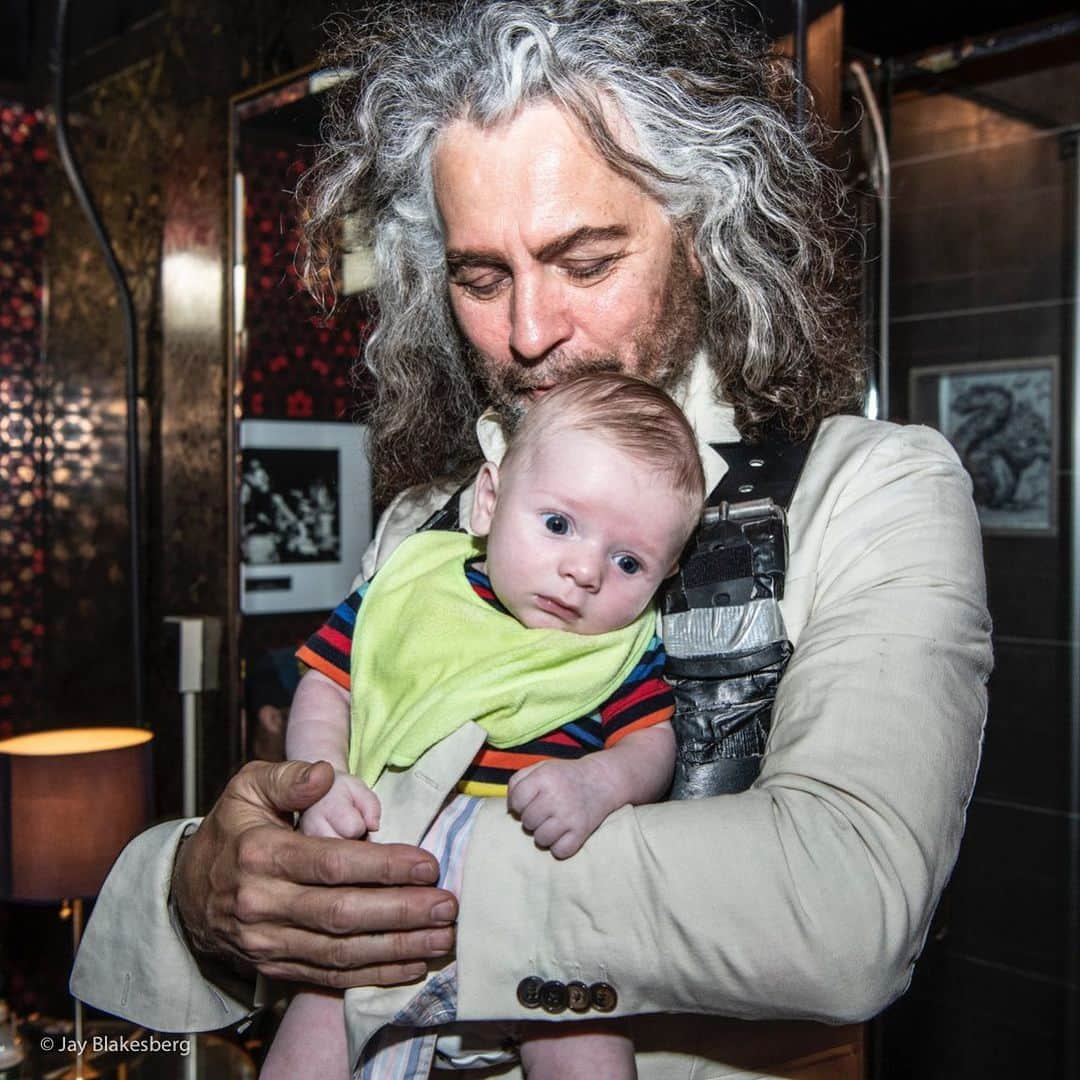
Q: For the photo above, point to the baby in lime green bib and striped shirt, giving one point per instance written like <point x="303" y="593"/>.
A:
<point x="586" y="517"/>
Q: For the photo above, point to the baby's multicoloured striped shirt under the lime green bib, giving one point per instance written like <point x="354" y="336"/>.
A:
<point x="643" y="700"/>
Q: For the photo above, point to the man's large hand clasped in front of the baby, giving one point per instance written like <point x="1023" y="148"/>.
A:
<point x="327" y="912"/>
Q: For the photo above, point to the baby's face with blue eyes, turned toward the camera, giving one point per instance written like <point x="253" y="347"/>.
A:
<point x="579" y="535"/>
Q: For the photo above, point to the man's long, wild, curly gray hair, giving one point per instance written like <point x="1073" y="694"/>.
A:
<point x="711" y="112"/>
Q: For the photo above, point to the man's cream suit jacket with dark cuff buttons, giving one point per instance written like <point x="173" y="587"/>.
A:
<point x="807" y="898"/>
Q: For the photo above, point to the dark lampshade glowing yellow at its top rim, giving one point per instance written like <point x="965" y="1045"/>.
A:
<point x="70" y="802"/>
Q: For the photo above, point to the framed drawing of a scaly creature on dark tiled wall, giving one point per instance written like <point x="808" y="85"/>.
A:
<point x="1003" y="418"/>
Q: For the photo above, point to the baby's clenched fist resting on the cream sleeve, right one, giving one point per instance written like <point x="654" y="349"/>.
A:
<point x="560" y="803"/>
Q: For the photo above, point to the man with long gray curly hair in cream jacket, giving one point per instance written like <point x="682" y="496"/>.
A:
<point x="557" y="188"/>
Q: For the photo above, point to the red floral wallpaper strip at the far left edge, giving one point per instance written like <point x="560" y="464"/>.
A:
<point x="24" y="225"/>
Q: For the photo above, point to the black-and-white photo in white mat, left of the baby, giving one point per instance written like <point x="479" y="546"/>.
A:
<point x="305" y="514"/>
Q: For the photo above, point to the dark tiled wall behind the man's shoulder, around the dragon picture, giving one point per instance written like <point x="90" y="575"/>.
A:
<point x="981" y="267"/>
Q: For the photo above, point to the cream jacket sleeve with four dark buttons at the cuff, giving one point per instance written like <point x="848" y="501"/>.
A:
<point x="809" y="896"/>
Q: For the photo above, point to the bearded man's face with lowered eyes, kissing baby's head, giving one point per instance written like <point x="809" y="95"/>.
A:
<point x="558" y="265"/>
